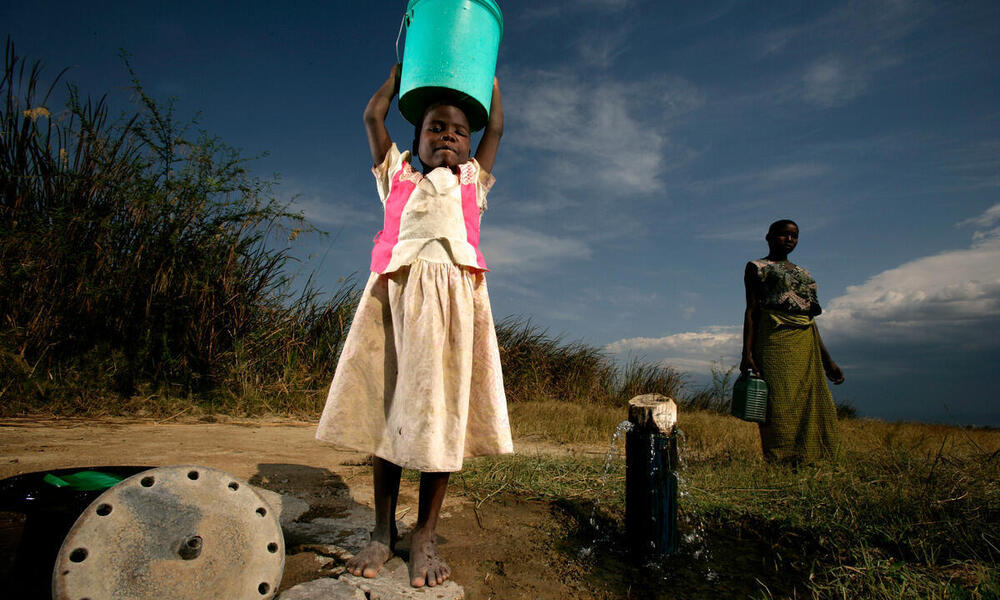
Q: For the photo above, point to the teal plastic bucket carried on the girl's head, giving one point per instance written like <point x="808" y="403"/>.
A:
<point x="450" y="54"/>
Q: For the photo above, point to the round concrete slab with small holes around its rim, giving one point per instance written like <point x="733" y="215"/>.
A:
<point x="180" y="532"/>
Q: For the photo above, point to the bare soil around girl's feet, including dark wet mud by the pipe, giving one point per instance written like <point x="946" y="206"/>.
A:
<point x="507" y="548"/>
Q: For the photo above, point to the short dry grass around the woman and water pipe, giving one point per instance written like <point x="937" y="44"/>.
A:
<point x="907" y="511"/>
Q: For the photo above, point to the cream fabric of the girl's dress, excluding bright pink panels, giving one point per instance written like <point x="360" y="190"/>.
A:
<point x="418" y="382"/>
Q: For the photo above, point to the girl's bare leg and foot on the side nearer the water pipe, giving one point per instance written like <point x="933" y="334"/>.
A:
<point x="426" y="565"/>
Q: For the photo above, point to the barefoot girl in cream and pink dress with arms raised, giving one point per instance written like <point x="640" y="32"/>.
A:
<point x="418" y="384"/>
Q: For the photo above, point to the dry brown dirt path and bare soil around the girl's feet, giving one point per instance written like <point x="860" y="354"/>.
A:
<point x="506" y="549"/>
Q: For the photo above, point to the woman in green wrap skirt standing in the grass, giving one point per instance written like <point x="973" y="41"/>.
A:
<point x="781" y="343"/>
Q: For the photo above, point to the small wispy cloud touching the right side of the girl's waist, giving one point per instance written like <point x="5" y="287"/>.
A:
<point x="525" y="249"/>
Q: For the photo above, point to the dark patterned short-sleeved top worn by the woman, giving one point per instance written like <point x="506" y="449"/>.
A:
<point x="785" y="287"/>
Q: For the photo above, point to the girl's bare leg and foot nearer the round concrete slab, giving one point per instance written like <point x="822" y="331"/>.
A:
<point x="370" y="559"/>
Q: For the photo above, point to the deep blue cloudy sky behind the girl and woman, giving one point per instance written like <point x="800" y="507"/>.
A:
<point x="647" y="147"/>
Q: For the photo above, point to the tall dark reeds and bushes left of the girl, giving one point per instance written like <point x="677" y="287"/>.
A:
<point x="140" y="258"/>
